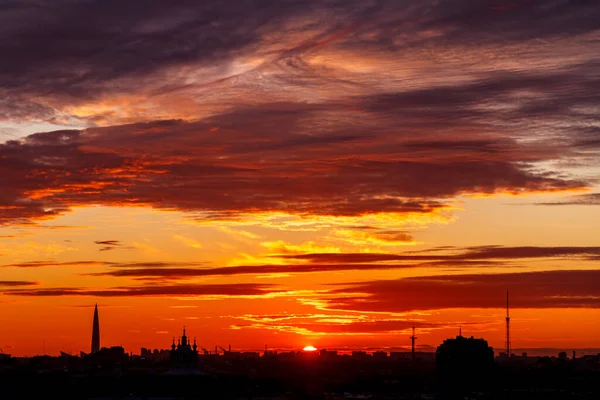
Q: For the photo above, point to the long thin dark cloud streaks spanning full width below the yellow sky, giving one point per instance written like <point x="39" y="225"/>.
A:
<point x="443" y="258"/>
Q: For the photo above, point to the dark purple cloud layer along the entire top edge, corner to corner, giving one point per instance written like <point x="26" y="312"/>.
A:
<point x="80" y="48"/>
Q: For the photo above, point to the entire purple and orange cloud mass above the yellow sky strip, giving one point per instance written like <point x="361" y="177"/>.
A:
<point x="315" y="107"/>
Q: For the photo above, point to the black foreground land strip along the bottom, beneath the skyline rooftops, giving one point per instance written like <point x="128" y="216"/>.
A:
<point x="300" y="378"/>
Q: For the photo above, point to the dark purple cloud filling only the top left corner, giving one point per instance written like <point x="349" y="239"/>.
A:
<point x="86" y="48"/>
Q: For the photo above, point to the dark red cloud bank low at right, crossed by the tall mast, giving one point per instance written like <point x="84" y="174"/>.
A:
<point x="547" y="289"/>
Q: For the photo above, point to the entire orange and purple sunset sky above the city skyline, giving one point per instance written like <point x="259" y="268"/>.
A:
<point x="299" y="172"/>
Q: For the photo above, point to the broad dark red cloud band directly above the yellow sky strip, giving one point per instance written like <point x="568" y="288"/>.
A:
<point x="49" y="173"/>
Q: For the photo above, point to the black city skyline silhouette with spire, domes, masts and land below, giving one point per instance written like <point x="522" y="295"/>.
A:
<point x="461" y="367"/>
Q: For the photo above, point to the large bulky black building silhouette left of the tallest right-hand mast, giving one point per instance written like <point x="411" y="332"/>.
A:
<point x="464" y="364"/>
